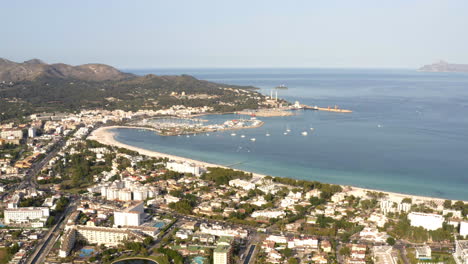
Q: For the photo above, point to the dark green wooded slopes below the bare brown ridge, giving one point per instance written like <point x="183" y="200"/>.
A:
<point x="147" y="92"/>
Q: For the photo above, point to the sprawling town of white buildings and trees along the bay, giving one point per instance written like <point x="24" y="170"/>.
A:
<point x="68" y="198"/>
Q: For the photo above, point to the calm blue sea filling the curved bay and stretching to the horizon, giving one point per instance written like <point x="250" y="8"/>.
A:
<point x="408" y="131"/>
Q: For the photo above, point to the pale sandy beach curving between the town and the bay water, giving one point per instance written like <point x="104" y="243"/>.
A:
<point x="106" y="137"/>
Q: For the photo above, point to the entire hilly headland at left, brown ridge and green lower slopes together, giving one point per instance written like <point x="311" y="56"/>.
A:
<point x="34" y="86"/>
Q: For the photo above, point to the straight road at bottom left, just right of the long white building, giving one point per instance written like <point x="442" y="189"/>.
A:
<point x="43" y="249"/>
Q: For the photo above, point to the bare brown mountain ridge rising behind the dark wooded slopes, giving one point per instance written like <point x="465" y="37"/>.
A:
<point x="32" y="69"/>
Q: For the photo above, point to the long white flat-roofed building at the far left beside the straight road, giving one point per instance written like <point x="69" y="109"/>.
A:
<point x="26" y="215"/>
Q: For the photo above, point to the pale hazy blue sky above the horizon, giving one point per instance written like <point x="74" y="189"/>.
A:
<point x="234" y="34"/>
